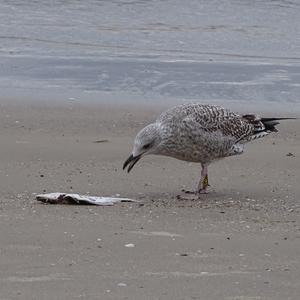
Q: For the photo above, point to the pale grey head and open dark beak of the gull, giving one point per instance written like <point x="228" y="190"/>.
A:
<point x="146" y="142"/>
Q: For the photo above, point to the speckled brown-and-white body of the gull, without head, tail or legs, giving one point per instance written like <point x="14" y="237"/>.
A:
<point x="203" y="133"/>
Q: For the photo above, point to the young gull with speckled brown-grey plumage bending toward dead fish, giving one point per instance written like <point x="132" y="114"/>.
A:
<point x="199" y="133"/>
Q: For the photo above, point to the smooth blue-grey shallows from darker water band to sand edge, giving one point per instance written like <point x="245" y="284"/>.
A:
<point x="239" y="86"/>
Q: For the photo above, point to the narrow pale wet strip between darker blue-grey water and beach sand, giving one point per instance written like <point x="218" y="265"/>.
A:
<point x="136" y="102"/>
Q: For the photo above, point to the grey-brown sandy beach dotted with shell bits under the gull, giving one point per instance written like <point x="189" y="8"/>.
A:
<point x="240" y="242"/>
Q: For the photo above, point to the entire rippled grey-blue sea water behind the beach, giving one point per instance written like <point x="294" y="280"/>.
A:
<point x="230" y="51"/>
